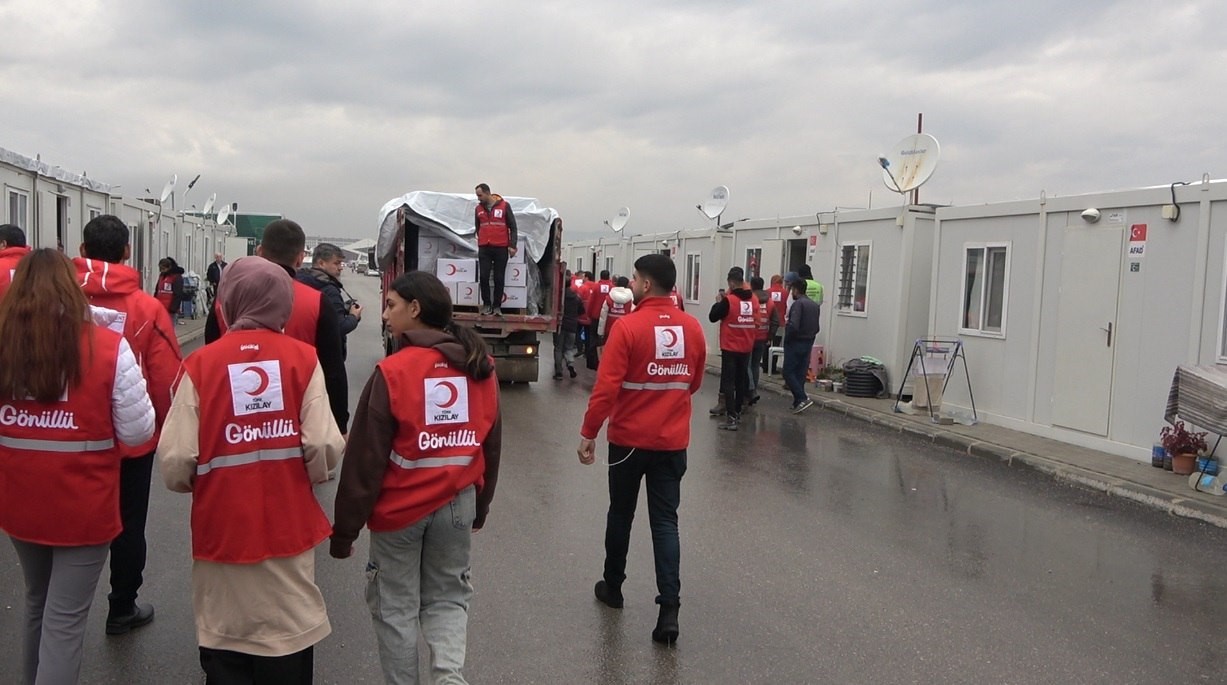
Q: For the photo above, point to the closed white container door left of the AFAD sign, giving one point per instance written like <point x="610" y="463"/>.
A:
<point x="1087" y="328"/>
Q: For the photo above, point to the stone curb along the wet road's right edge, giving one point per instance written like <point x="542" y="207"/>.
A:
<point x="1058" y="471"/>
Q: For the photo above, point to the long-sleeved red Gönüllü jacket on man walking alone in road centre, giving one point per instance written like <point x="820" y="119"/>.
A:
<point x="652" y="365"/>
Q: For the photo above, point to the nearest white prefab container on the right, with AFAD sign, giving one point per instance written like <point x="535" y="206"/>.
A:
<point x="1073" y="328"/>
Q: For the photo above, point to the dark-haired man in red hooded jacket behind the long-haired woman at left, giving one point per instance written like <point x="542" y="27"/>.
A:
<point x="147" y="326"/>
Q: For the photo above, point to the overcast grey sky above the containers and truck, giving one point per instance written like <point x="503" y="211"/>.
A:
<point x="326" y="111"/>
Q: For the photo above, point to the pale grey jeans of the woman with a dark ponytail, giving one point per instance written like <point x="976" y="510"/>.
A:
<point x="418" y="581"/>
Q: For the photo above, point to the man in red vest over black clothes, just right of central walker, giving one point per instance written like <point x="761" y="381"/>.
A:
<point x="738" y="315"/>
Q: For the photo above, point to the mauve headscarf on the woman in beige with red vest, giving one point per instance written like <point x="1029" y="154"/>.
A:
<point x="256" y="294"/>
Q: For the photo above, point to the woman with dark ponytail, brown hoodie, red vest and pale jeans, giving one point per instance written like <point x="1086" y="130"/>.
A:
<point x="420" y="472"/>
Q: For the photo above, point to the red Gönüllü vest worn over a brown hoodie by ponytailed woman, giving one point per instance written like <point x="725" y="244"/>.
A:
<point x="442" y="420"/>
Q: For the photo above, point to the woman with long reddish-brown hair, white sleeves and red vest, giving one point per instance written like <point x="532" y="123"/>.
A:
<point x="60" y="459"/>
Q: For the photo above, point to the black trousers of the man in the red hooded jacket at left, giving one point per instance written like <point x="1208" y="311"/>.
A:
<point x="128" y="551"/>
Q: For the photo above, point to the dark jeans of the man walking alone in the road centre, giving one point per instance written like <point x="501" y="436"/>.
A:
<point x="663" y="473"/>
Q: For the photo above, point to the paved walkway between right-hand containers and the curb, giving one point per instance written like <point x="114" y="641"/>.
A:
<point x="1116" y="476"/>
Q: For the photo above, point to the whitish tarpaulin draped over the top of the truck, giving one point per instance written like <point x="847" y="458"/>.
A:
<point x="451" y="217"/>
